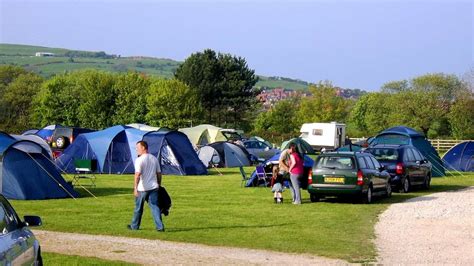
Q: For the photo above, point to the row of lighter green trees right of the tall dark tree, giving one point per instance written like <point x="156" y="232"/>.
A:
<point x="438" y="105"/>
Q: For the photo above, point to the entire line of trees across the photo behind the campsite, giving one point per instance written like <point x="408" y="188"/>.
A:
<point x="219" y="89"/>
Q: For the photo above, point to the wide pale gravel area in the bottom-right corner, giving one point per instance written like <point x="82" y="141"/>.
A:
<point x="433" y="229"/>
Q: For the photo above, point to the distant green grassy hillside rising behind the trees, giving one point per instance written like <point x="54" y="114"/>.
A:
<point x="70" y="60"/>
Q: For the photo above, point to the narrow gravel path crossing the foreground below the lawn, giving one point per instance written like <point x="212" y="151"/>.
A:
<point x="153" y="252"/>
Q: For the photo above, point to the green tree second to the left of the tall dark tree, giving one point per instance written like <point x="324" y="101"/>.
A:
<point x="130" y="92"/>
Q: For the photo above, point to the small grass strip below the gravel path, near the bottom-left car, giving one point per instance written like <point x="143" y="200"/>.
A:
<point x="60" y="259"/>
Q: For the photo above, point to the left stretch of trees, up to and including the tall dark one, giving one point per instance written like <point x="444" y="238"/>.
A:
<point x="208" y="87"/>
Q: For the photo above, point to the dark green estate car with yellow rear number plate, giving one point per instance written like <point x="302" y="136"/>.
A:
<point x="355" y="174"/>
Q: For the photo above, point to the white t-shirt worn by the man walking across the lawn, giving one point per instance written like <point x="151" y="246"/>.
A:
<point x="147" y="165"/>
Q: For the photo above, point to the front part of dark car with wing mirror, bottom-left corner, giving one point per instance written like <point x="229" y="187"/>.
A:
<point x="18" y="245"/>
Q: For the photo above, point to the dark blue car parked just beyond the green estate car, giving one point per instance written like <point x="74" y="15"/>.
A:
<point x="406" y="165"/>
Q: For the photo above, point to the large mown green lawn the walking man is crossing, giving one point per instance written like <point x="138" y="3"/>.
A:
<point x="215" y="210"/>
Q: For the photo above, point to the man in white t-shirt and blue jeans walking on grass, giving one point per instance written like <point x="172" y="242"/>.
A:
<point x="147" y="182"/>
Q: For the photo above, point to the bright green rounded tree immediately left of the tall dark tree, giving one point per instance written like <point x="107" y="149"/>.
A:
<point x="171" y="103"/>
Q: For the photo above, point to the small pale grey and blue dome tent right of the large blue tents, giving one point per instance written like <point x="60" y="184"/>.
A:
<point x="224" y="154"/>
